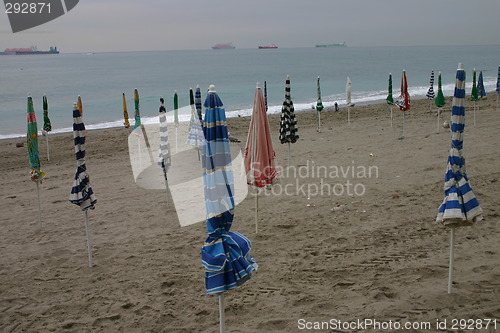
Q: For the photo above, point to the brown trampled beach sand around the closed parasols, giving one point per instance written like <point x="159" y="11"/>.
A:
<point x="379" y="255"/>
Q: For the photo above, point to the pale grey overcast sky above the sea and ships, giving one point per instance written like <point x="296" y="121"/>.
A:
<point x="126" y="25"/>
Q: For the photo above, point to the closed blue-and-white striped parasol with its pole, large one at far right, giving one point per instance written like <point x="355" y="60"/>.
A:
<point x="460" y="206"/>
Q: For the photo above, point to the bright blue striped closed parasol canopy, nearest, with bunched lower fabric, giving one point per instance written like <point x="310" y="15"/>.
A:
<point x="225" y="255"/>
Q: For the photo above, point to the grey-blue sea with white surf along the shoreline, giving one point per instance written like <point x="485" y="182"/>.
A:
<point x="101" y="78"/>
